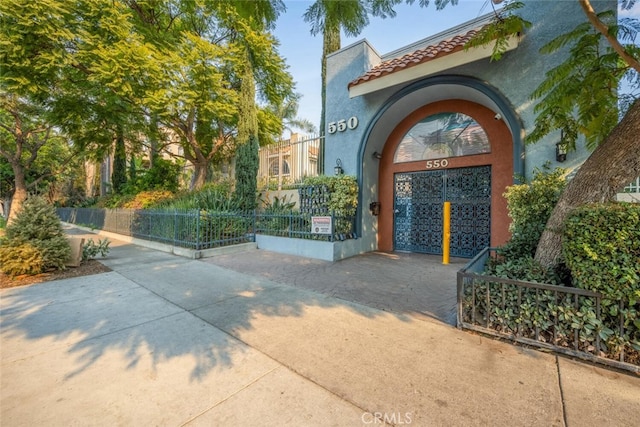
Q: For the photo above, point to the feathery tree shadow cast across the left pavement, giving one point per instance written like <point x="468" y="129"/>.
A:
<point x="157" y="311"/>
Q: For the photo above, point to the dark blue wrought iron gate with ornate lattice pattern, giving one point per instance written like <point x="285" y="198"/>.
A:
<point x="418" y="201"/>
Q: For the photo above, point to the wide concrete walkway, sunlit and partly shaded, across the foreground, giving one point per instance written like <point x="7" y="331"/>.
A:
<point x="163" y="340"/>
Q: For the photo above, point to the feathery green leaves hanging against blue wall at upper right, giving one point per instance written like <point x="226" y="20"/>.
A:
<point x="580" y="96"/>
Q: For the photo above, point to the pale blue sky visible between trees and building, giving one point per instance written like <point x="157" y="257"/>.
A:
<point x="412" y="23"/>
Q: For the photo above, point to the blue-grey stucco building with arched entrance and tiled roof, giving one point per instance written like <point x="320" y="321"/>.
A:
<point x="433" y="122"/>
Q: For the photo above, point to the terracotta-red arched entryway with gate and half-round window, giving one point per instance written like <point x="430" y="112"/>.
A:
<point x="452" y="150"/>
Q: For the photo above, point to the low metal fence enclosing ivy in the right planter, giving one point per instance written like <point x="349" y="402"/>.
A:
<point x="563" y="319"/>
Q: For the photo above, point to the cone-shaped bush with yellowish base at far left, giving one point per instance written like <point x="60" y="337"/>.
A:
<point x="34" y="241"/>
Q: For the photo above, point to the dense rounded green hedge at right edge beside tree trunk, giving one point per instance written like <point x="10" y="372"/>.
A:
<point x="601" y="247"/>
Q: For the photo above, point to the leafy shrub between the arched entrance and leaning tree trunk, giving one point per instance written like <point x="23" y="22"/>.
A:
<point x="530" y="206"/>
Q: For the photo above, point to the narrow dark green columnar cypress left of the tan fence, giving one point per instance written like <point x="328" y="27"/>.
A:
<point x="247" y="162"/>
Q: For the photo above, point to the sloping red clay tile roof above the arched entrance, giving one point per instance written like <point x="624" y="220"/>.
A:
<point x="420" y="56"/>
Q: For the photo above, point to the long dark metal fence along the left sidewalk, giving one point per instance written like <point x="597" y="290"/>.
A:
<point x="202" y="229"/>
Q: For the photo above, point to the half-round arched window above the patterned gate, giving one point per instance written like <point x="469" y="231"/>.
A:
<point x="442" y="135"/>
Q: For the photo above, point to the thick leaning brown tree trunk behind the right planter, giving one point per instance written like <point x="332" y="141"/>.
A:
<point x="614" y="164"/>
